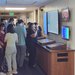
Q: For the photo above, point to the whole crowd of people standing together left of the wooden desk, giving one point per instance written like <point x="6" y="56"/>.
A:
<point x="15" y="40"/>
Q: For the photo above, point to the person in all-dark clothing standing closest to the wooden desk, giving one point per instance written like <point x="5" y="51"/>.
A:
<point x="31" y="36"/>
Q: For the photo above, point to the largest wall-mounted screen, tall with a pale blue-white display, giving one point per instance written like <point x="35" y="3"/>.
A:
<point x="53" y="23"/>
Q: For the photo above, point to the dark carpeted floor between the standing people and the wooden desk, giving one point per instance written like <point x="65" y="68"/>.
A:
<point x="26" y="70"/>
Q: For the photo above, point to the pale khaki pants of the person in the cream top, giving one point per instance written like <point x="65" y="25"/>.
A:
<point x="10" y="55"/>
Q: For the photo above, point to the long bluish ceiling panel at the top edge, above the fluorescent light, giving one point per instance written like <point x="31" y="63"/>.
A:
<point x="26" y="2"/>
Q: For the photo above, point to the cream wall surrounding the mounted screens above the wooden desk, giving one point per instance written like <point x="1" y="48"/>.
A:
<point x="60" y="4"/>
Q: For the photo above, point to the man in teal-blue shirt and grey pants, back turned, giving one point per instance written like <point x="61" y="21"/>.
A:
<point x="21" y="46"/>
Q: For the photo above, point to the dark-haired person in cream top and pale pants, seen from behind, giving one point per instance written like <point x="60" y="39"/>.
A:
<point x="11" y="39"/>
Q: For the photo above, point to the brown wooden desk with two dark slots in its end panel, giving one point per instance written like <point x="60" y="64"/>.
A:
<point x="55" y="62"/>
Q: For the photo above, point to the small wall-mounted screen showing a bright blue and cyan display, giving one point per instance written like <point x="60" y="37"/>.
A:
<point x="65" y="32"/>
